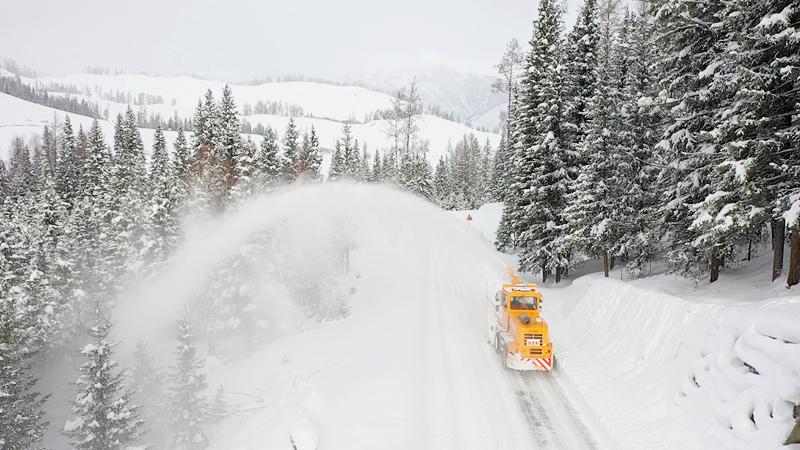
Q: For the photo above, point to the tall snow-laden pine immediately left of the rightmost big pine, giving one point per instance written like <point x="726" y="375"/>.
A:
<point x="691" y="56"/>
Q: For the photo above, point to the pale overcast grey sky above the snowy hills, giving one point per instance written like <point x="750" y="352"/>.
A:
<point x="242" y="39"/>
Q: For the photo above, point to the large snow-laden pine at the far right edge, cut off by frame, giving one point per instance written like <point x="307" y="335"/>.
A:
<point x="760" y="131"/>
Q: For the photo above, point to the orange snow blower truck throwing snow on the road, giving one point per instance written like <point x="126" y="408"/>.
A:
<point x="516" y="328"/>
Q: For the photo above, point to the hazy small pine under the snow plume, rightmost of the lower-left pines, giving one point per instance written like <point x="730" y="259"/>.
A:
<point x="188" y="404"/>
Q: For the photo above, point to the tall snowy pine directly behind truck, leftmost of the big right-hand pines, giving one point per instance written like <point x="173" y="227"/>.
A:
<point x="543" y="159"/>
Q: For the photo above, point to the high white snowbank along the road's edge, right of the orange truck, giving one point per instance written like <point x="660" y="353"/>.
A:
<point x="653" y="365"/>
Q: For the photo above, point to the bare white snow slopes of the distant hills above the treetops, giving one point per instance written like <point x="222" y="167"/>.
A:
<point x="18" y="117"/>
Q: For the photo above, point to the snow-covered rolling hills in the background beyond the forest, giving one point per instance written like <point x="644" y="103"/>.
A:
<point x="330" y="106"/>
